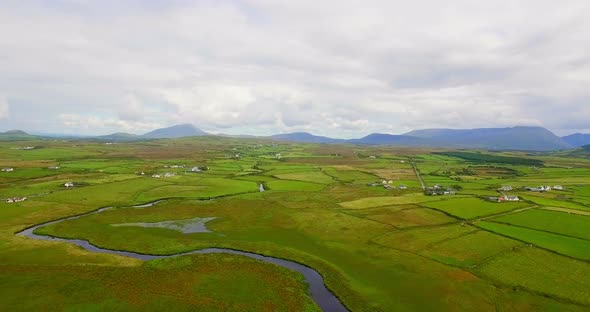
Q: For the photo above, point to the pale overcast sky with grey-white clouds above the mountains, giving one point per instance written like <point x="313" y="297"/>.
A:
<point x="337" y="68"/>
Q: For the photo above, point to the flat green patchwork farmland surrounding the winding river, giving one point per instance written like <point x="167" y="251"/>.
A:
<point x="355" y="214"/>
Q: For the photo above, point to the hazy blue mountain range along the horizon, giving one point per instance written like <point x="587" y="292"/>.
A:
<point x="513" y="138"/>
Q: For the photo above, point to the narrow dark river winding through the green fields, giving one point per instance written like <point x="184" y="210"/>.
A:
<point x="323" y="297"/>
